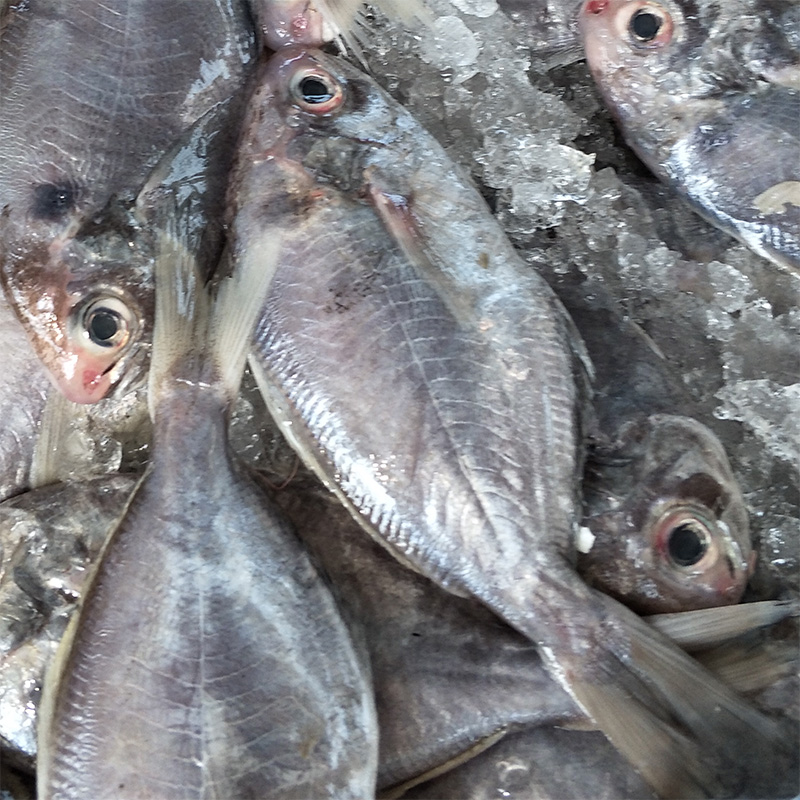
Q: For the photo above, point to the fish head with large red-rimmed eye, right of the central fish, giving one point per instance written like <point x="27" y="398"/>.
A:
<point x="670" y="526"/>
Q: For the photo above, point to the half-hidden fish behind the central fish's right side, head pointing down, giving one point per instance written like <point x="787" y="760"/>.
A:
<point x="665" y="524"/>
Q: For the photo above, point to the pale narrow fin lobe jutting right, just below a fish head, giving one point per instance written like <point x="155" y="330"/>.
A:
<point x="697" y="630"/>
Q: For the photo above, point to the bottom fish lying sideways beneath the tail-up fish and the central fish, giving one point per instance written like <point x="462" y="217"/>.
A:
<point x="450" y="678"/>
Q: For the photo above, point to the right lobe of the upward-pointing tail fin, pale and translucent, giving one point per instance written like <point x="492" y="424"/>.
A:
<point x="240" y="300"/>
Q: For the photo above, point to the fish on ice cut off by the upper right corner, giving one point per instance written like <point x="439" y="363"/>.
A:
<point x="700" y="88"/>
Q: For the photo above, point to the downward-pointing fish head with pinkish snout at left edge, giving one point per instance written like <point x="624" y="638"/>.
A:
<point x="79" y="284"/>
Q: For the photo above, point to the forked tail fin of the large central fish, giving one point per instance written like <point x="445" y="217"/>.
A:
<point x="685" y="732"/>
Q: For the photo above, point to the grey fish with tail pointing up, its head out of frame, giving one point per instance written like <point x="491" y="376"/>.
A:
<point x="209" y="657"/>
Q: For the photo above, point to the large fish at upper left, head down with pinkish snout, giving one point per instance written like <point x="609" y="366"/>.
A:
<point x="96" y="97"/>
